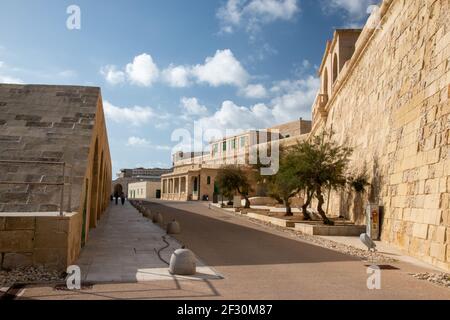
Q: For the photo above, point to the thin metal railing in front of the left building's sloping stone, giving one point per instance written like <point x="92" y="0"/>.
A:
<point x="62" y="184"/>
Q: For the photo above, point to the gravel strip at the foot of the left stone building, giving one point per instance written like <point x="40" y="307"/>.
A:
<point x="28" y="275"/>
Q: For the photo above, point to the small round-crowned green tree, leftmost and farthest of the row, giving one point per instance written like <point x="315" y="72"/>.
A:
<point x="234" y="179"/>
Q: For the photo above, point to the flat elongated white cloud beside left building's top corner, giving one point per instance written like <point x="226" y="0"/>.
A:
<point x="135" y="116"/>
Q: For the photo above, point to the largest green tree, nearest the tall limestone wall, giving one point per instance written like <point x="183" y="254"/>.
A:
<point x="321" y="165"/>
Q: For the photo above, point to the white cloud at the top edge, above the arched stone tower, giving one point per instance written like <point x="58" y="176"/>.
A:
<point x="355" y="10"/>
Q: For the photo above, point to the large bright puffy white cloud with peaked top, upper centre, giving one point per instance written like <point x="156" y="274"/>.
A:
<point x="222" y="69"/>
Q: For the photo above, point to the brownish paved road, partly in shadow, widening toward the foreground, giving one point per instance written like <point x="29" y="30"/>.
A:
<point x="258" y="262"/>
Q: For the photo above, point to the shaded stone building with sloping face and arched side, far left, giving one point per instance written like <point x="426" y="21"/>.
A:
<point x="41" y="128"/>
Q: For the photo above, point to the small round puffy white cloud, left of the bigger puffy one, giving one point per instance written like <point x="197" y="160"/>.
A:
<point x="142" y="71"/>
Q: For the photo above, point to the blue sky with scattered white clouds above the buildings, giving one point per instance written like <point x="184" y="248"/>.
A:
<point x="169" y="65"/>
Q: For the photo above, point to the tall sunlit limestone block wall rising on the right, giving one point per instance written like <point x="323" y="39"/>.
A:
<point x="391" y="104"/>
